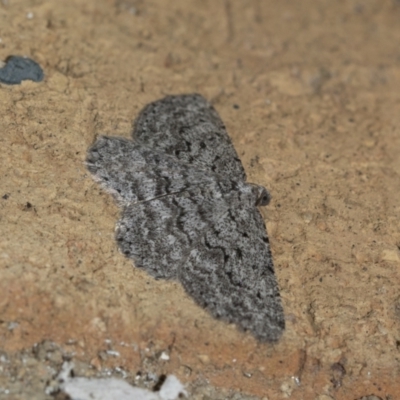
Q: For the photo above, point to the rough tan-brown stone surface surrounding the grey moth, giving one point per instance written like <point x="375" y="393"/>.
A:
<point x="310" y="93"/>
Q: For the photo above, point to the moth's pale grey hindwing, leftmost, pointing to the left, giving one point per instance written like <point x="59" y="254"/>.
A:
<point x="135" y="173"/>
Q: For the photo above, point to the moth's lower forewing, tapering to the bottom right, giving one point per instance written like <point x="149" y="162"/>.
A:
<point x="230" y="273"/>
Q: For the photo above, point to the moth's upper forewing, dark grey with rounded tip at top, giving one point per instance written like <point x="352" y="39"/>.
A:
<point x="189" y="128"/>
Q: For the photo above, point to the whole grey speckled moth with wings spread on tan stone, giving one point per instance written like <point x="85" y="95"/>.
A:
<point x="188" y="213"/>
